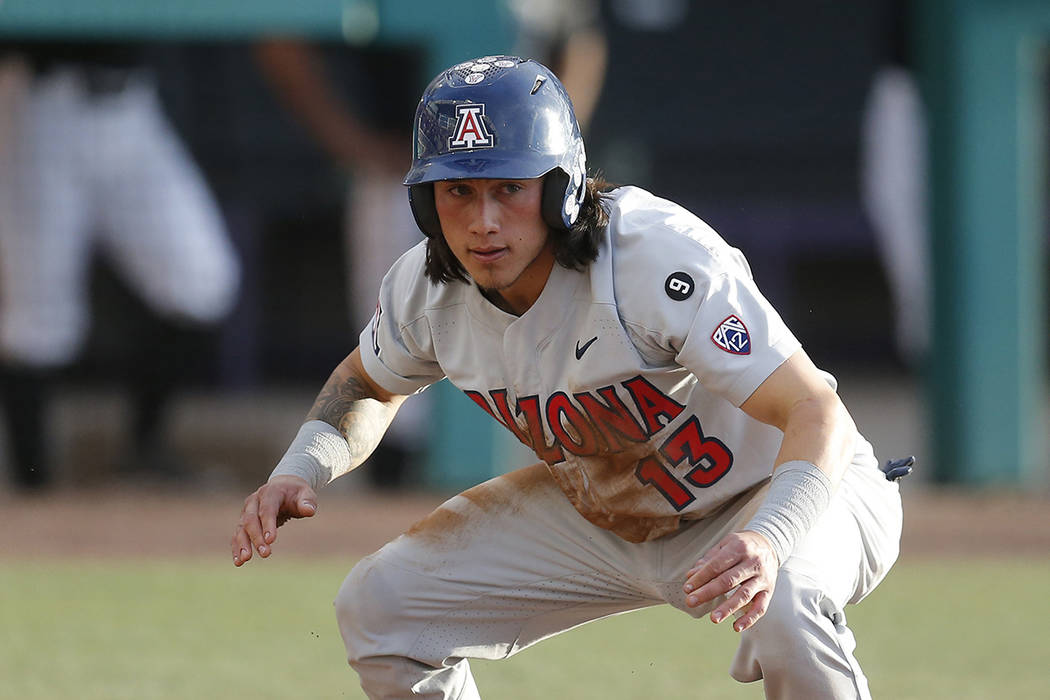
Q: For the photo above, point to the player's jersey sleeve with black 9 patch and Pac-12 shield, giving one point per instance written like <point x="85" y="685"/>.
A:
<point x="696" y="304"/>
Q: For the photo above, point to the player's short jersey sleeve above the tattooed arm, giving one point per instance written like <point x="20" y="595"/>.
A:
<point x="396" y="347"/>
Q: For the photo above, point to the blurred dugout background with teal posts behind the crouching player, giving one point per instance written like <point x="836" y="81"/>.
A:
<point x="198" y="201"/>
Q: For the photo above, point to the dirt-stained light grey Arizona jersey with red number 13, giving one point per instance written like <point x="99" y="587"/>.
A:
<point x="626" y="378"/>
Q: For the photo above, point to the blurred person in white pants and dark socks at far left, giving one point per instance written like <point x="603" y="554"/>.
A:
<point x="92" y="166"/>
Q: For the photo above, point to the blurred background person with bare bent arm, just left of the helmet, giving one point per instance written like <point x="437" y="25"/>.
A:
<point x="359" y="129"/>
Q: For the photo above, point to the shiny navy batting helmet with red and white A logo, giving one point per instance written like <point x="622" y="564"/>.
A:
<point x="498" y="117"/>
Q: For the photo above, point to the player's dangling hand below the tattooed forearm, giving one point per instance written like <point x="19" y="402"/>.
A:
<point x="272" y="505"/>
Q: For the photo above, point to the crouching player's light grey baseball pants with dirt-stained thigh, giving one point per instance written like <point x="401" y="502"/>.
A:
<point x="511" y="563"/>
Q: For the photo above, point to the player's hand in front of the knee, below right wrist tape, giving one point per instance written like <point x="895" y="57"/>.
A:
<point x="743" y="561"/>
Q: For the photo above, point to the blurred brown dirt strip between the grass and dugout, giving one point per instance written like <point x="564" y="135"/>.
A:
<point x="145" y="523"/>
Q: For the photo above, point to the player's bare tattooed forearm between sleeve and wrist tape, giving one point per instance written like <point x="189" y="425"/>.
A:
<point x="345" y="404"/>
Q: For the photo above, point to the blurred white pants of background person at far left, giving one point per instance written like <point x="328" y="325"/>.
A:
<point x="101" y="173"/>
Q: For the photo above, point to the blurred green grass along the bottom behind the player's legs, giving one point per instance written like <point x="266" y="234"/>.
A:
<point x="196" y="629"/>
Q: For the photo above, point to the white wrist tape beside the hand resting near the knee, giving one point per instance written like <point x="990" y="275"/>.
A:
<point x="799" y="495"/>
